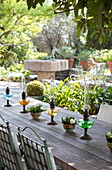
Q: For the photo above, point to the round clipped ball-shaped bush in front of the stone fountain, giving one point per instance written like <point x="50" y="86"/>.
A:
<point x="35" y="88"/>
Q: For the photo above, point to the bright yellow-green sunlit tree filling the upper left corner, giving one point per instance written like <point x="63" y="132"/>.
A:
<point x="17" y="27"/>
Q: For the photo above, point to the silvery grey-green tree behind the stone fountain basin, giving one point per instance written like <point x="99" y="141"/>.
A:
<point x="60" y="31"/>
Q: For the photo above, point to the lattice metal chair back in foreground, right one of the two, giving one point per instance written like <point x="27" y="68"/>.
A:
<point x="37" y="155"/>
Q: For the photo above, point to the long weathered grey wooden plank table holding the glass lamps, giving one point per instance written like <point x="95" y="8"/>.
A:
<point x="70" y="152"/>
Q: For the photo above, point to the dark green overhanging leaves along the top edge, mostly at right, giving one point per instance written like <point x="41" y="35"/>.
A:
<point x="92" y="15"/>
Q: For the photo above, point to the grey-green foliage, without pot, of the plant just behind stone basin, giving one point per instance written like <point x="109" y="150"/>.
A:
<point x="64" y="52"/>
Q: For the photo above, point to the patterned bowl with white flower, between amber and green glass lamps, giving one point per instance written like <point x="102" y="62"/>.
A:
<point x="69" y="123"/>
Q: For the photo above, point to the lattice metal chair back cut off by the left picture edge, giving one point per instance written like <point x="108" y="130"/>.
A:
<point x="10" y="158"/>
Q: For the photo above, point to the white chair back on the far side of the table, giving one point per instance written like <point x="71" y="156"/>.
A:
<point x="105" y="113"/>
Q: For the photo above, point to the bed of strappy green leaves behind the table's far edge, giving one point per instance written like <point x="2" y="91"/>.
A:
<point x="71" y="96"/>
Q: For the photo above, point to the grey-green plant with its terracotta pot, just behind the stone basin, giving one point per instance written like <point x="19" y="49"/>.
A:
<point x="66" y="53"/>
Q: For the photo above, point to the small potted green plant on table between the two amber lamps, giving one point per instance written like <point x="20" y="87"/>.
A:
<point x="35" y="111"/>
